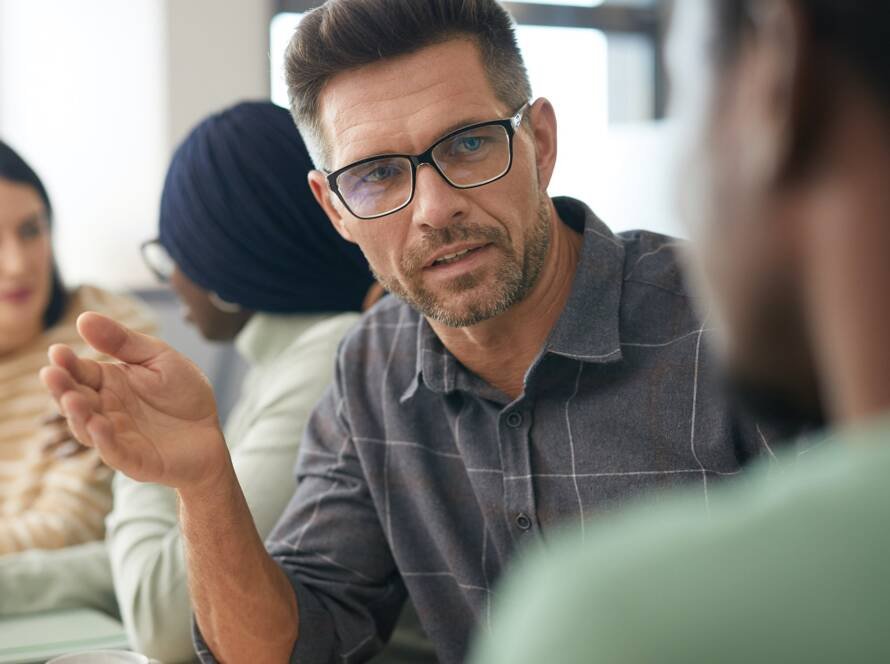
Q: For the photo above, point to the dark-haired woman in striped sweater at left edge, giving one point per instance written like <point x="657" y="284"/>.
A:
<point x="53" y="493"/>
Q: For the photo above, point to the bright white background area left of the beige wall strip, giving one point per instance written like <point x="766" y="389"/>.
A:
<point x="81" y="94"/>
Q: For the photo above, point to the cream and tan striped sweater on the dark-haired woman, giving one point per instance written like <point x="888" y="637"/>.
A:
<point x="53" y="492"/>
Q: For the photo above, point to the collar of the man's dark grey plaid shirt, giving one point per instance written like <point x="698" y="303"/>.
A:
<point x="587" y="329"/>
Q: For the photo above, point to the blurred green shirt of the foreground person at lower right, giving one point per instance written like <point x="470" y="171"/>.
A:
<point x="791" y="560"/>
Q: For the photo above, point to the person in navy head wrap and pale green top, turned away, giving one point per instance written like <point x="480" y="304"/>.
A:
<point x="251" y="256"/>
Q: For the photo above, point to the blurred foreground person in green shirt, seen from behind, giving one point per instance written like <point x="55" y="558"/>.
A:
<point x="790" y="204"/>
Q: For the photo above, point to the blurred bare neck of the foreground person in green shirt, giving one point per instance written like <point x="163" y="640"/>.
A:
<point x="846" y="276"/>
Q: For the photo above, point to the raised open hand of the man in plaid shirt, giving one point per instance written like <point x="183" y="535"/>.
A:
<point x="151" y="415"/>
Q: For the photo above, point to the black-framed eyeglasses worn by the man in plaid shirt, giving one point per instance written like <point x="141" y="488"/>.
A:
<point x="468" y="157"/>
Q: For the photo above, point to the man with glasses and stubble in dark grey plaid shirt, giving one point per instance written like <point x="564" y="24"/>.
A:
<point x="534" y="369"/>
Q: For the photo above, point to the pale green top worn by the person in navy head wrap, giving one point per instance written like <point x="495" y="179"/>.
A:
<point x="292" y="363"/>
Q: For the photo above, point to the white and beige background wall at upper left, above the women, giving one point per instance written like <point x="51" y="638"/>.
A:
<point x="96" y="94"/>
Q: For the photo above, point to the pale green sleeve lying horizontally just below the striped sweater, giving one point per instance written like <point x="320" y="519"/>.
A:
<point x="44" y="580"/>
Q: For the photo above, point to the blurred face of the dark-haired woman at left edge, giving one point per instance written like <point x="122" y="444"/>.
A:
<point x="25" y="265"/>
